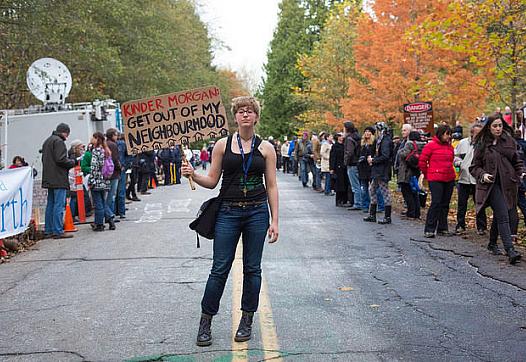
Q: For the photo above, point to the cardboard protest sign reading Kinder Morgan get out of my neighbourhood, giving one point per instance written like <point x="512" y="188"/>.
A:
<point x="175" y="118"/>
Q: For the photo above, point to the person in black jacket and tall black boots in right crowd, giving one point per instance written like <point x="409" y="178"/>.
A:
<point x="380" y="174"/>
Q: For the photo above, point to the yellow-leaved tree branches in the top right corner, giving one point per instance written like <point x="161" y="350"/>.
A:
<point x="493" y="33"/>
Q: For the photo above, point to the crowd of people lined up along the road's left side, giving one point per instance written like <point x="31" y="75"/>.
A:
<point x="112" y="177"/>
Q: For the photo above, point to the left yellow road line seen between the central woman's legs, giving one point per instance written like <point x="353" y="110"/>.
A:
<point x="239" y="349"/>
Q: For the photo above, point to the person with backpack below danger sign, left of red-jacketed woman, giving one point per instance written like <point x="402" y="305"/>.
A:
<point x="407" y="168"/>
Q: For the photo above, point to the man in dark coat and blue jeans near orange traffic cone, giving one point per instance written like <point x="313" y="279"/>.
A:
<point x="55" y="167"/>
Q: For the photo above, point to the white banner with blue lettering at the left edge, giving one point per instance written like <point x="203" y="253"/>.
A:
<point x="16" y="200"/>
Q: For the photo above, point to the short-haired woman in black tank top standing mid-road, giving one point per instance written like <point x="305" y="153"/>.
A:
<point x="245" y="162"/>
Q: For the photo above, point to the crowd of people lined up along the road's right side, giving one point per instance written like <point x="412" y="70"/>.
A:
<point x="487" y="165"/>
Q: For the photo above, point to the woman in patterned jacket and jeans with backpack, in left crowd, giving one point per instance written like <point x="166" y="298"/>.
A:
<point x="99" y="185"/>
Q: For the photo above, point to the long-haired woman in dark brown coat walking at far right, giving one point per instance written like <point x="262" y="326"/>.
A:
<point x="498" y="169"/>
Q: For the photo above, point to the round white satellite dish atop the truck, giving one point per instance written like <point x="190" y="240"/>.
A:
<point x="50" y="81"/>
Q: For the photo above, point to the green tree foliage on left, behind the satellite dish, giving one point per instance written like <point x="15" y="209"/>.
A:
<point x="121" y="49"/>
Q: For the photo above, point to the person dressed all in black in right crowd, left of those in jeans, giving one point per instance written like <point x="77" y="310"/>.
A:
<point x="338" y="170"/>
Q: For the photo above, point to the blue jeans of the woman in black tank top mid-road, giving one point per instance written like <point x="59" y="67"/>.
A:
<point x="232" y="221"/>
